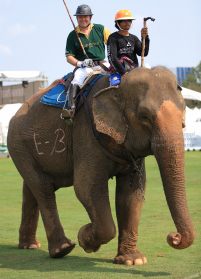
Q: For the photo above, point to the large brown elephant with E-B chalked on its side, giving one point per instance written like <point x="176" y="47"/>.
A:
<point x="142" y="116"/>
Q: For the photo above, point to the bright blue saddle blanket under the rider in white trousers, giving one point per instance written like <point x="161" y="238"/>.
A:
<point x="57" y="97"/>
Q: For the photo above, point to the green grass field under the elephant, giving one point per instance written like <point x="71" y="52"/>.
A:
<point x="155" y="224"/>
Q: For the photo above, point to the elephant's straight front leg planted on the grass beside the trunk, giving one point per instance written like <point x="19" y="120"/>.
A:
<point x="129" y="201"/>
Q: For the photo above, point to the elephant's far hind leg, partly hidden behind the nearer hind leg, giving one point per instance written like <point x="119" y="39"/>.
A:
<point x="29" y="222"/>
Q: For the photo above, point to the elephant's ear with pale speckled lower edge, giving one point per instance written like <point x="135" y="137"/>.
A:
<point x="108" y="116"/>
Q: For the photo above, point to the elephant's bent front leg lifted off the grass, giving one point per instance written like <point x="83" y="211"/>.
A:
<point x="92" y="191"/>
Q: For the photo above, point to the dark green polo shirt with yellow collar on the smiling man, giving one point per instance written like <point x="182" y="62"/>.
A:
<point x="93" y="44"/>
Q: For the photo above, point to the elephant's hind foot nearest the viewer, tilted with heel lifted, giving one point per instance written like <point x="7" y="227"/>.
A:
<point x="61" y="248"/>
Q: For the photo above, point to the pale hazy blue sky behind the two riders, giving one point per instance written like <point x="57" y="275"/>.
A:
<point x="33" y="33"/>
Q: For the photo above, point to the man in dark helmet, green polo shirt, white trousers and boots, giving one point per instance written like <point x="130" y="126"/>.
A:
<point x="93" y="37"/>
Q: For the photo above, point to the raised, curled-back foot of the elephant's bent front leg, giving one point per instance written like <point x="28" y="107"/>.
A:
<point x="86" y="239"/>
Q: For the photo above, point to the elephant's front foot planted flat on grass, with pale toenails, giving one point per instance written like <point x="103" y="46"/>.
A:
<point x="132" y="258"/>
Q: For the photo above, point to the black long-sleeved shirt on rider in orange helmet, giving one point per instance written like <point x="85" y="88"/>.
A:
<point x="129" y="46"/>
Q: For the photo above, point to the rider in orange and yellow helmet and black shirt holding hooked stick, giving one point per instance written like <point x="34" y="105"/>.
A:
<point x="122" y="44"/>
